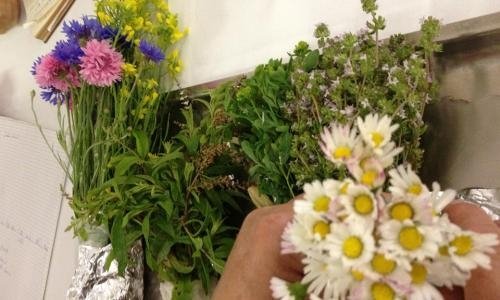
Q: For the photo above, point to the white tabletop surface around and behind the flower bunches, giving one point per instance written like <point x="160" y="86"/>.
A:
<point x="227" y="37"/>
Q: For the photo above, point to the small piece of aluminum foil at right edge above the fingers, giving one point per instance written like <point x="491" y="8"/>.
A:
<point x="487" y="199"/>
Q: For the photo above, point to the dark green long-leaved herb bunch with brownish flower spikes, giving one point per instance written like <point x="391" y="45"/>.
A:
<point x="185" y="202"/>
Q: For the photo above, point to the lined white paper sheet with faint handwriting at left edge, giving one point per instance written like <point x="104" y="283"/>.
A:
<point x="30" y="204"/>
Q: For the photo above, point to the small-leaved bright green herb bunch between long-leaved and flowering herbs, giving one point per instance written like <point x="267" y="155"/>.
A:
<point x="263" y="132"/>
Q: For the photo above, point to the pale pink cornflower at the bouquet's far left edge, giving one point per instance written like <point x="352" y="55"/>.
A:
<point x="51" y="72"/>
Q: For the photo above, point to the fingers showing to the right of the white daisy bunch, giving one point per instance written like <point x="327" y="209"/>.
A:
<point x="483" y="284"/>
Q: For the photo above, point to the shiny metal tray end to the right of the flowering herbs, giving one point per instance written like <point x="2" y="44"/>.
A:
<point x="463" y="140"/>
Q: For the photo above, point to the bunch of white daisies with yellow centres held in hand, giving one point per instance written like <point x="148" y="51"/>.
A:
<point x="361" y="242"/>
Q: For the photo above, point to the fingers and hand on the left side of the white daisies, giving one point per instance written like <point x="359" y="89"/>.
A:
<point x="256" y="256"/>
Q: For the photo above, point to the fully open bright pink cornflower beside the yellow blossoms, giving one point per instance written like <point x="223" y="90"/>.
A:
<point x="100" y="64"/>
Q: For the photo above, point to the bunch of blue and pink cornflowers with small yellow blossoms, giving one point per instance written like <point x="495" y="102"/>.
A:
<point x="107" y="79"/>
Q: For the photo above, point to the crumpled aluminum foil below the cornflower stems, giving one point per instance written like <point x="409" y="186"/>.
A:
<point x="92" y="281"/>
